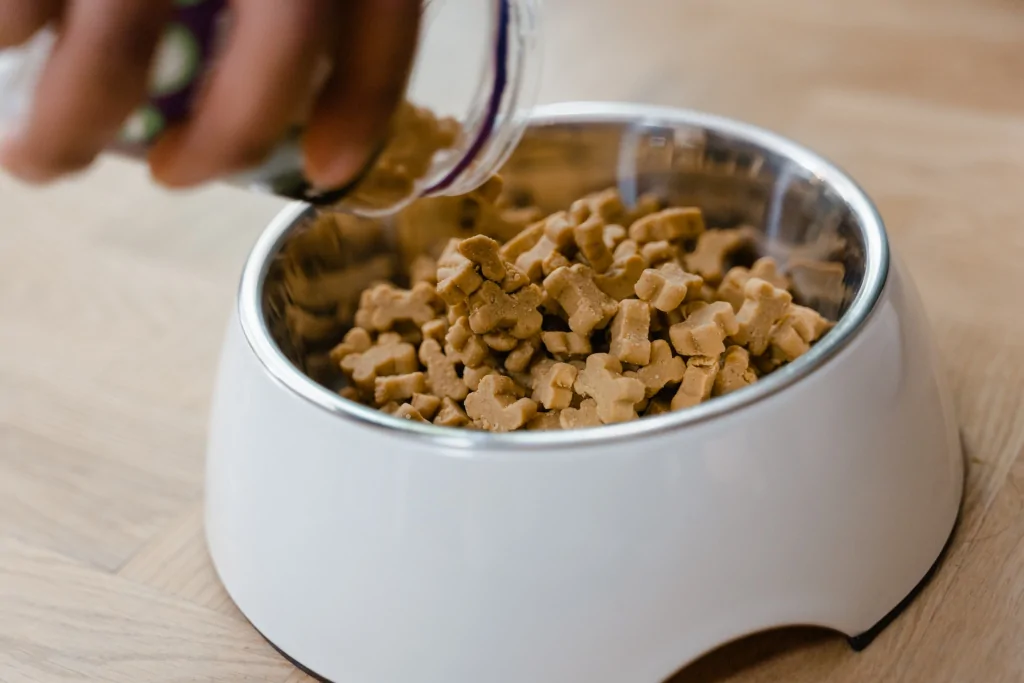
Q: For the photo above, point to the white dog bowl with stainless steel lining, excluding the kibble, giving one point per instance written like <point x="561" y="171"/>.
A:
<point x="375" y="550"/>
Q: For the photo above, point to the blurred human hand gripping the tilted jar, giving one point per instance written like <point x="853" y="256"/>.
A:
<point x="100" y="71"/>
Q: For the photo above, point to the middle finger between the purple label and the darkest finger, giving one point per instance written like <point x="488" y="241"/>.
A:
<point x="254" y="93"/>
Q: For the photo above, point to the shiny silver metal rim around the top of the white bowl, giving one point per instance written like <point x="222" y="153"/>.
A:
<point x="468" y="443"/>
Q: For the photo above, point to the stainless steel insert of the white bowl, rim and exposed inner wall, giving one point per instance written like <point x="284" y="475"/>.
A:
<point x="802" y="205"/>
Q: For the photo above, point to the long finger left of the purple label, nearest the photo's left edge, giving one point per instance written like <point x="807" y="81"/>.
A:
<point x="97" y="75"/>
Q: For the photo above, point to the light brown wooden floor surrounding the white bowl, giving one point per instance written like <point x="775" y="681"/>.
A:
<point x="114" y="296"/>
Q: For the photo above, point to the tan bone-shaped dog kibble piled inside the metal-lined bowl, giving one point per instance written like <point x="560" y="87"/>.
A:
<point x="493" y="317"/>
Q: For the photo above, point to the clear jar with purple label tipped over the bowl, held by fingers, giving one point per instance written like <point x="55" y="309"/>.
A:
<point x="466" y="107"/>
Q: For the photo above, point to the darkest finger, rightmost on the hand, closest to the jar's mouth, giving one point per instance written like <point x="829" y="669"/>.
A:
<point x="372" y="65"/>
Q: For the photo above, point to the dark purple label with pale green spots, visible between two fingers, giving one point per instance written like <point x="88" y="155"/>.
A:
<point x="180" y="67"/>
